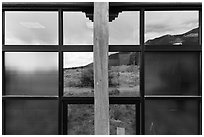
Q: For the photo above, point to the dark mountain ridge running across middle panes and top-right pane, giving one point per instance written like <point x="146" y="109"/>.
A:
<point x="128" y="58"/>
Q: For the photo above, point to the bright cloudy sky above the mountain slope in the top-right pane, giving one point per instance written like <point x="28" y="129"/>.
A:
<point x="159" y="23"/>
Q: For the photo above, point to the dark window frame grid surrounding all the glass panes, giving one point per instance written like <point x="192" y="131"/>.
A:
<point x="60" y="48"/>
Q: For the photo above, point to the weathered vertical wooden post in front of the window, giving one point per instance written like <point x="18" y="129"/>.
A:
<point x="101" y="99"/>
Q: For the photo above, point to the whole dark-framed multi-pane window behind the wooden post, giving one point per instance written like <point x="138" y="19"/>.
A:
<point x="154" y="68"/>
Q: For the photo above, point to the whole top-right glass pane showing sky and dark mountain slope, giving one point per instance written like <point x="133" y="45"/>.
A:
<point x="171" y="27"/>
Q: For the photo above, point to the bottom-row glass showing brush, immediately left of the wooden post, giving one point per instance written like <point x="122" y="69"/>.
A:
<point x="81" y="119"/>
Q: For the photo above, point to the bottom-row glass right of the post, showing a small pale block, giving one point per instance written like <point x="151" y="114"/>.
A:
<point x="122" y="119"/>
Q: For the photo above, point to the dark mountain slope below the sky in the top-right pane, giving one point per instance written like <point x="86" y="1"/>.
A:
<point x="188" y="38"/>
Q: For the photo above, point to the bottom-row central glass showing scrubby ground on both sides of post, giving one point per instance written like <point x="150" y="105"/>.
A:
<point x="81" y="119"/>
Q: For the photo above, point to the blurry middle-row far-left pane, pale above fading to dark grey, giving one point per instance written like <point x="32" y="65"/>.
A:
<point x="31" y="73"/>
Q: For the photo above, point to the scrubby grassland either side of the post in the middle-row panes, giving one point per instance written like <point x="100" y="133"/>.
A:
<point x="123" y="80"/>
